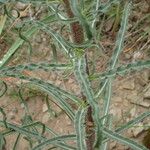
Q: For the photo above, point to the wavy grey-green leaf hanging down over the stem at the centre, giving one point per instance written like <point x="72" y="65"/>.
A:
<point x="82" y="78"/>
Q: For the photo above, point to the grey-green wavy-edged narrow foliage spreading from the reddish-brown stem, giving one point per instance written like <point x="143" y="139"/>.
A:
<point x="87" y="16"/>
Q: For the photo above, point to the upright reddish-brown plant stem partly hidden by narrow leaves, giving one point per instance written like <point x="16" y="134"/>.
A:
<point x="78" y="37"/>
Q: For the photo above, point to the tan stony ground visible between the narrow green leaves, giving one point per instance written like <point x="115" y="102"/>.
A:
<point x="131" y="93"/>
